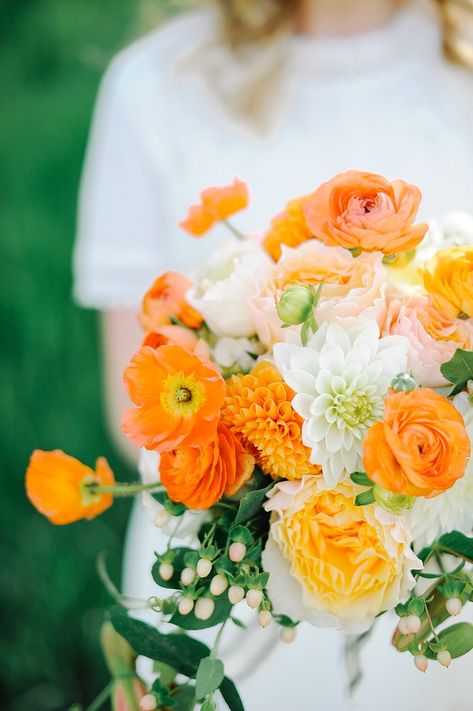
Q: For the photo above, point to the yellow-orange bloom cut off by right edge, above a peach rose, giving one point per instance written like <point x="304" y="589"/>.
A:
<point x="448" y="278"/>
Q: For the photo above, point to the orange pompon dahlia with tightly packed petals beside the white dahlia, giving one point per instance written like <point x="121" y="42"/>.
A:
<point x="258" y="409"/>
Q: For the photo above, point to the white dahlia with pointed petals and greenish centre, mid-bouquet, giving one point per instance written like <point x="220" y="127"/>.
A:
<point x="340" y="379"/>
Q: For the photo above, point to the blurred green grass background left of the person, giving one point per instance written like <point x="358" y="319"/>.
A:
<point x="52" y="55"/>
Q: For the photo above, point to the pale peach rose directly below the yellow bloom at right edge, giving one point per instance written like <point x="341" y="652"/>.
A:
<point x="433" y="337"/>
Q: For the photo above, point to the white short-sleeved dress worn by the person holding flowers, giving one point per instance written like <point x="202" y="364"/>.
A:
<point x="386" y="102"/>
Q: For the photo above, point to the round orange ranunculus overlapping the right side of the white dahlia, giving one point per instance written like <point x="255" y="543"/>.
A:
<point x="421" y="448"/>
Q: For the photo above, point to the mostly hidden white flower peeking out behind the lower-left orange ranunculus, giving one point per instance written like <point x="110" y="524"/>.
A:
<point x="189" y="522"/>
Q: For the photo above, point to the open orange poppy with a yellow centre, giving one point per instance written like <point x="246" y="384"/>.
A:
<point x="178" y="394"/>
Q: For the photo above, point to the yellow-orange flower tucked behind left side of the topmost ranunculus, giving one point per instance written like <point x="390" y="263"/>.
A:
<point x="289" y="227"/>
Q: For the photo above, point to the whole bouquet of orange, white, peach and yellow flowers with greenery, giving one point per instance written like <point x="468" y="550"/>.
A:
<point x="303" y="405"/>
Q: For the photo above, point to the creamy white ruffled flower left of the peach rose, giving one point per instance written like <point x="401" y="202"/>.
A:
<point x="223" y="286"/>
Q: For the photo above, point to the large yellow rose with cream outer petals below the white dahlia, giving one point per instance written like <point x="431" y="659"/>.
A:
<point x="332" y="563"/>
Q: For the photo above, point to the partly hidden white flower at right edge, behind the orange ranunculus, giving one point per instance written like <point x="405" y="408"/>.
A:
<point x="452" y="510"/>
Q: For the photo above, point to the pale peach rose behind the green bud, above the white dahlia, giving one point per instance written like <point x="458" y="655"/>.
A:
<point x="351" y="286"/>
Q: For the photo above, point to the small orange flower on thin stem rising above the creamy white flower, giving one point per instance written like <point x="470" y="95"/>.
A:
<point x="215" y="204"/>
